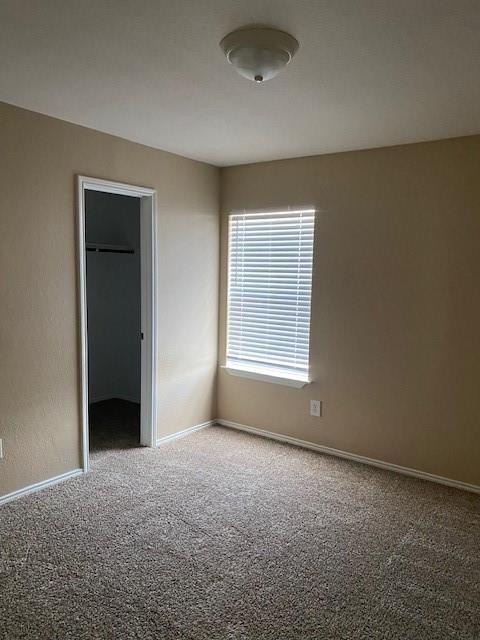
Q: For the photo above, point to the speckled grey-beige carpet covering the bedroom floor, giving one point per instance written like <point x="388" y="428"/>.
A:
<point x="224" y="535"/>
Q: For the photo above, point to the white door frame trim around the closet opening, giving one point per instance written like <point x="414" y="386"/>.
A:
<point x="148" y="270"/>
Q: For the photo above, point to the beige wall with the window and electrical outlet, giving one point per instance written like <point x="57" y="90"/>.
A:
<point x="395" y="339"/>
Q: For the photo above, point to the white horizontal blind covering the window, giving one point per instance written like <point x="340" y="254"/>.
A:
<point x="269" y="292"/>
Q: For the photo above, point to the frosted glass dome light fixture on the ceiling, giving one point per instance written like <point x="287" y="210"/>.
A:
<point x="259" y="53"/>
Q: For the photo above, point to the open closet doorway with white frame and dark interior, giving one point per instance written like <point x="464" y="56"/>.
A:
<point x="117" y="314"/>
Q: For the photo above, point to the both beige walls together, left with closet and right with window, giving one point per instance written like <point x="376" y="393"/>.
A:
<point x="395" y="343"/>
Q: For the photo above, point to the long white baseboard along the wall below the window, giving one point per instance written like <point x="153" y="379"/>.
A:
<point x="422" y="475"/>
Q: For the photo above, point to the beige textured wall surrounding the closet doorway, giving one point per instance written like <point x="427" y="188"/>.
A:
<point x="39" y="332"/>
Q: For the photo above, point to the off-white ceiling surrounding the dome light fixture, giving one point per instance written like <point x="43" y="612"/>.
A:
<point x="368" y="73"/>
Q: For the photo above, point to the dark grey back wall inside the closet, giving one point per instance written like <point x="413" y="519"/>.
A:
<point x="113" y="298"/>
